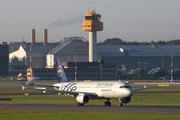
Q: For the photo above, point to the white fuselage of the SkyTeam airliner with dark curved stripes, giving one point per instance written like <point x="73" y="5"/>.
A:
<point x="101" y="89"/>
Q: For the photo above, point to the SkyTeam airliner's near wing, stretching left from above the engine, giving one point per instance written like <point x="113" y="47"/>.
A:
<point x="74" y="93"/>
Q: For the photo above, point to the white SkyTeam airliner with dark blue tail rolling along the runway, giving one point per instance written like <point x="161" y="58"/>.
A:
<point x="84" y="91"/>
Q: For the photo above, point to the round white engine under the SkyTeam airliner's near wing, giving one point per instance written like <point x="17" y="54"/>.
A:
<point x="82" y="98"/>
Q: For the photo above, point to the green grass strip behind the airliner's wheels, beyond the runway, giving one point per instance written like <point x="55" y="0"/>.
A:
<point x="139" y="99"/>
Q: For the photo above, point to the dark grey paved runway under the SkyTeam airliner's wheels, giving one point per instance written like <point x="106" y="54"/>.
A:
<point x="98" y="108"/>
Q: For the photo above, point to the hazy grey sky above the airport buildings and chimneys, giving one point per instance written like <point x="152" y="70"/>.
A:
<point x="130" y="20"/>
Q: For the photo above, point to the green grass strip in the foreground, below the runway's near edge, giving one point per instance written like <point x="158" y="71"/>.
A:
<point x="74" y="115"/>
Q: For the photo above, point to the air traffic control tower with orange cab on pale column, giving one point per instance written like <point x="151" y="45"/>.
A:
<point x="92" y="24"/>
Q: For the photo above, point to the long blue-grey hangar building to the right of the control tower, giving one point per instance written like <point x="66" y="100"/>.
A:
<point x="147" y="57"/>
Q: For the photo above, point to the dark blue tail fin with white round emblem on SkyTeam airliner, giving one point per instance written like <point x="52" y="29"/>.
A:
<point x="61" y="75"/>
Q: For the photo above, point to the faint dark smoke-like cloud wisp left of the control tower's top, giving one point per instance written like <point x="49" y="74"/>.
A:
<point x="71" y="20"/>
